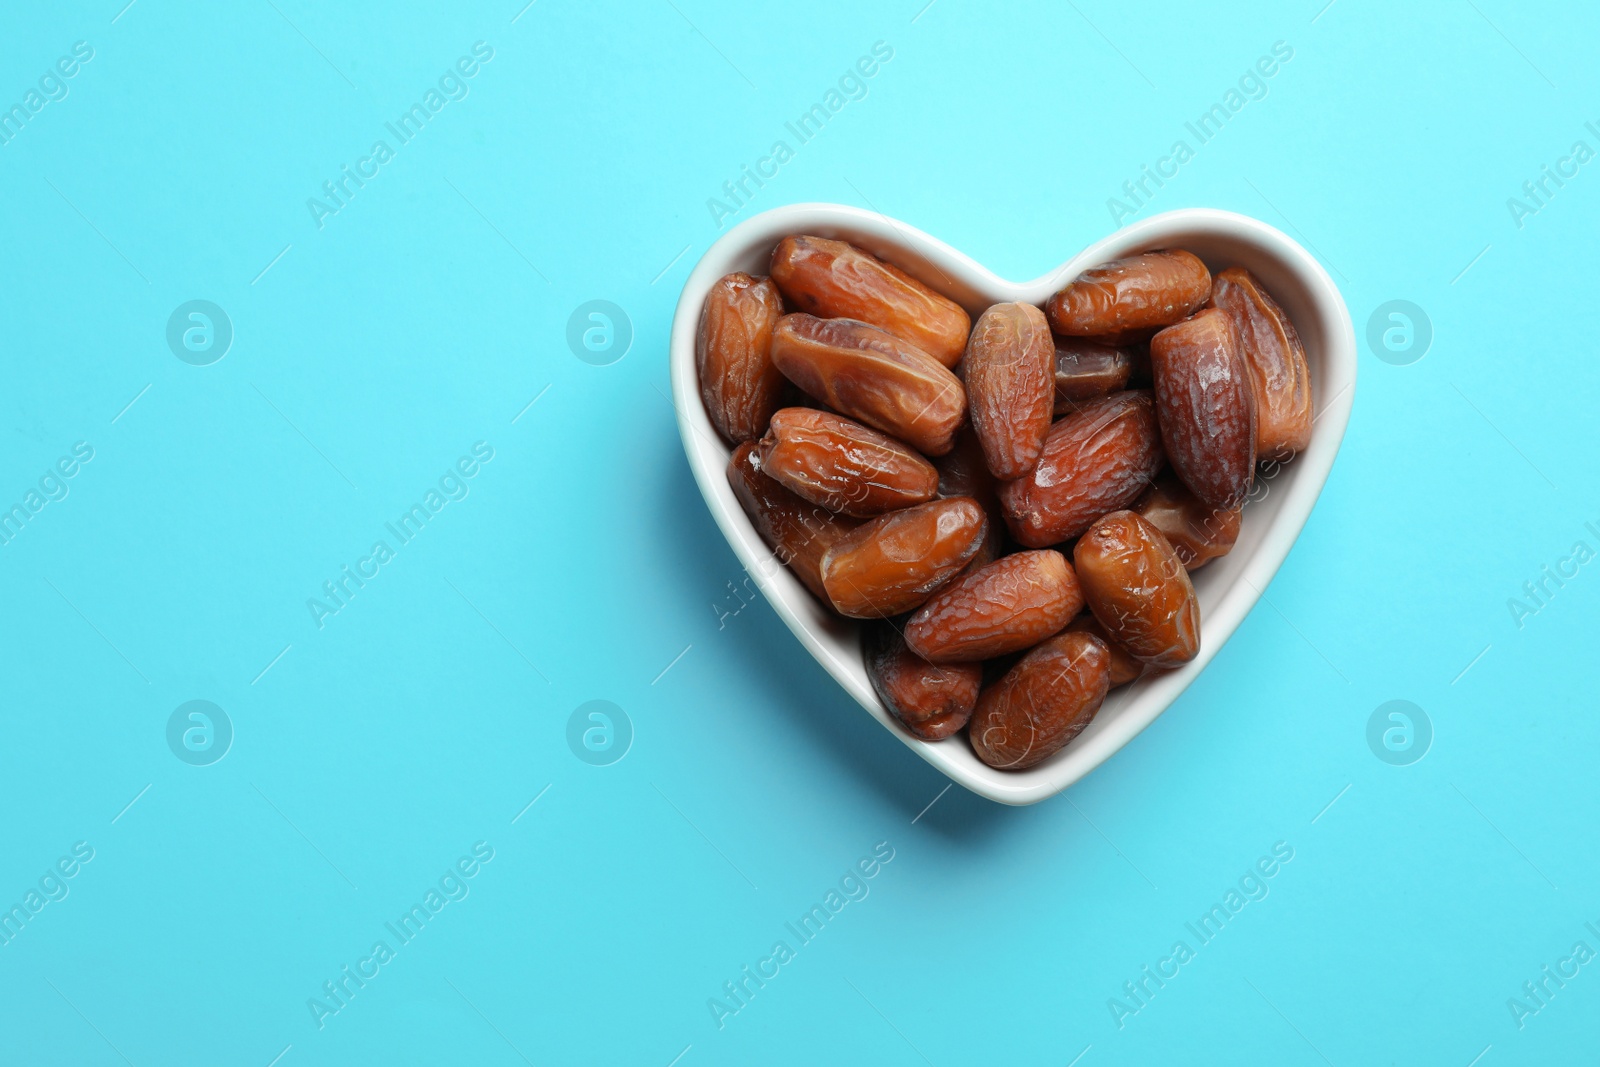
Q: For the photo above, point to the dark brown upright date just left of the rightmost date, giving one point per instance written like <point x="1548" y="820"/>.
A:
<point x="1207" y="407"/>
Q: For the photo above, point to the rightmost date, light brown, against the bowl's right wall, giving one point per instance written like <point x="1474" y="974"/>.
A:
<point x="1278" y="364"/>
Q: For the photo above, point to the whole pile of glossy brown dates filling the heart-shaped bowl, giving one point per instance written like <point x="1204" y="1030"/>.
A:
<point x="1014" y="503"/>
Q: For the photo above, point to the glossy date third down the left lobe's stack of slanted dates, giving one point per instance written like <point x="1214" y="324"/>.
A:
<point x="844" y="466"/>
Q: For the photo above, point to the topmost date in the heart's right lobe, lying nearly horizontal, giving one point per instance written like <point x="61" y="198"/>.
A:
<point x="1156" y="289"/>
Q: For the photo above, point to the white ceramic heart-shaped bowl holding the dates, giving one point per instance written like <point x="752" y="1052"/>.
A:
<point x="1228" y="588"/>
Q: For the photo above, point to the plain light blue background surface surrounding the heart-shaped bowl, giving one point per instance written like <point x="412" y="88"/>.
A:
<point x="426" y="716"/>
